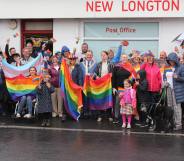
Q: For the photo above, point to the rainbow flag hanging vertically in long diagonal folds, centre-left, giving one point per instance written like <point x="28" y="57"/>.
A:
<point x="71" y="92"/>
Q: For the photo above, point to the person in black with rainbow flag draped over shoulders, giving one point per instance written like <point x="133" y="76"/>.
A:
<point x="121" y="72"/>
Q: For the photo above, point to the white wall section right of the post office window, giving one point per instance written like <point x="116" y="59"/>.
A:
<point x="169" y="29"/>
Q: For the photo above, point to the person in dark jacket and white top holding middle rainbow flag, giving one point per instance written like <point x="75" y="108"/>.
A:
<point x="103" y="68"/>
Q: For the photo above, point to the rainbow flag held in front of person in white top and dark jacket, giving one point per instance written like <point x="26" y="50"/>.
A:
<point x="98" y="92"/>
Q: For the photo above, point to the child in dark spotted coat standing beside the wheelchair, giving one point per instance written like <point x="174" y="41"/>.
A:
<point x="44" y="91"/>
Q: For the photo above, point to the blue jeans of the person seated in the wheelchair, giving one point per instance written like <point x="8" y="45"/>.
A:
<point x="25" y="100"/>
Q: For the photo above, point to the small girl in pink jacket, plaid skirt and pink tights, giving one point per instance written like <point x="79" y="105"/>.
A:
<point x="128" y="103"/>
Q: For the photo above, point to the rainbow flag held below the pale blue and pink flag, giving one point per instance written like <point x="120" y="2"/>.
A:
<point x="20" y="86"/>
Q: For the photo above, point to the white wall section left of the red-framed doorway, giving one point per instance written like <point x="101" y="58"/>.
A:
<point x="6" y="32"/>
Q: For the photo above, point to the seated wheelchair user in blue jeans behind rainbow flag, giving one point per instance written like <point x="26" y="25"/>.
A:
<point x="27" y="99"/>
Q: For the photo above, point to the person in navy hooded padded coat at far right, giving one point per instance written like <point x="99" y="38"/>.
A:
<point x="174" y="80"/>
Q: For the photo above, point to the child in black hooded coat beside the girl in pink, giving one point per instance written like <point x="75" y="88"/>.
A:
<point x="143" y="97"/>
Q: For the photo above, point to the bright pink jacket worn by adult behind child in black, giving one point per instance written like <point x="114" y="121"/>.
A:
<point x="153" y="77"/>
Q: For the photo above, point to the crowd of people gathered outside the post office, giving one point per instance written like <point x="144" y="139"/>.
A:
<point x="138" y="81"/>
